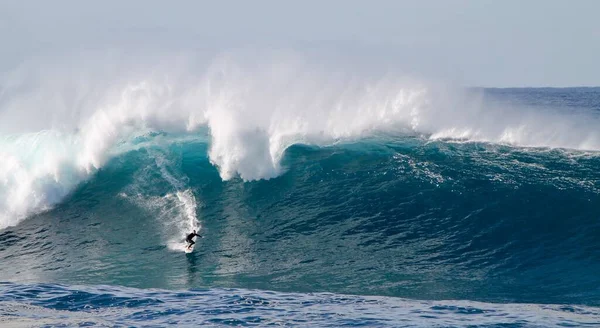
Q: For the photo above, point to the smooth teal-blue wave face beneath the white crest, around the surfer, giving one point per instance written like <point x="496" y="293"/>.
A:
<point x="384" y="216"/>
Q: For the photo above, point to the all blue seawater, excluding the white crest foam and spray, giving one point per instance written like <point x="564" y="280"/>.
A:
<point x="389" y="229"/>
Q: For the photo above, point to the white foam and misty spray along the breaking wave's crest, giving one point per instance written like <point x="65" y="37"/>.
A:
<point x="61" y="118"/>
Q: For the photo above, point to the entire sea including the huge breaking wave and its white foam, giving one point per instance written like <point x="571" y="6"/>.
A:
<point x="319" y="205"/>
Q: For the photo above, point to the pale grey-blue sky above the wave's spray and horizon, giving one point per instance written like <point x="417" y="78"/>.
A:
<point x="470" y="43"/>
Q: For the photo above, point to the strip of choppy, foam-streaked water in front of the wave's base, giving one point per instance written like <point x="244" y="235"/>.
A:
<point x="55" y="305"/>
